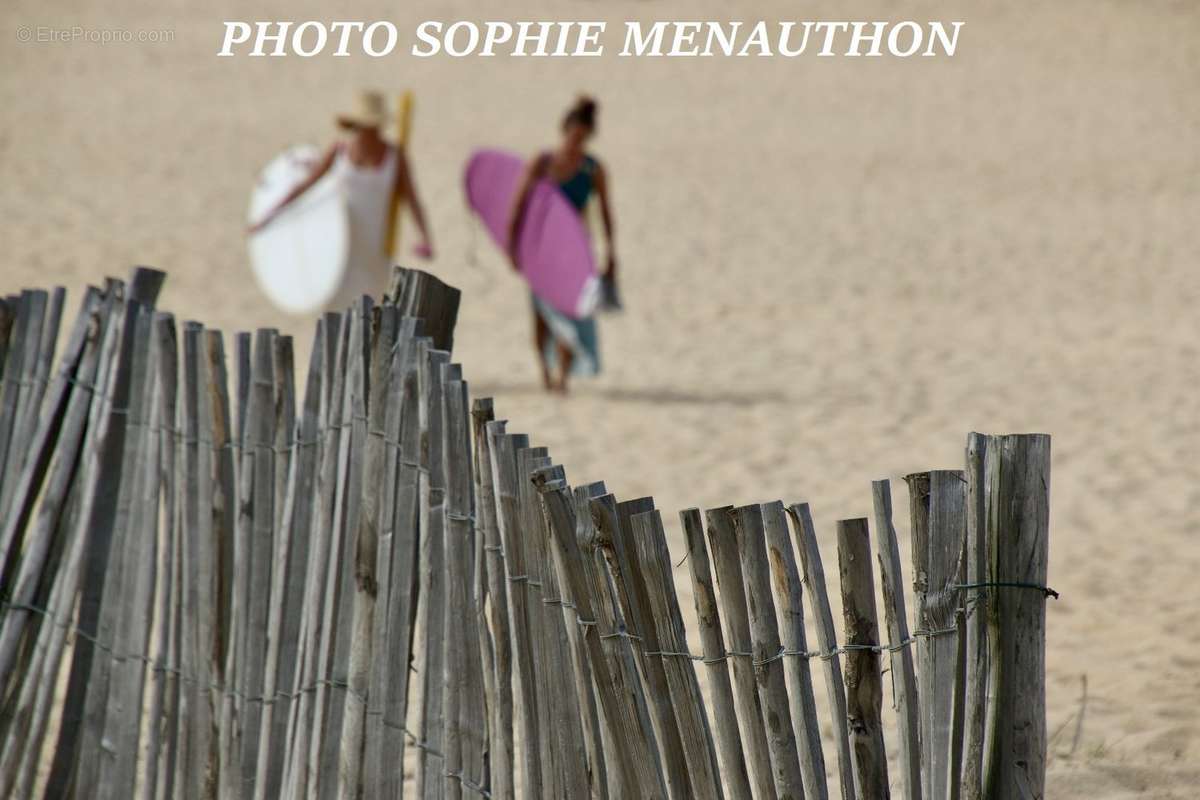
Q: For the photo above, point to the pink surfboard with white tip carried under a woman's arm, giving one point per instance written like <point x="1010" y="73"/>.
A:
<point x="555" y="251"/>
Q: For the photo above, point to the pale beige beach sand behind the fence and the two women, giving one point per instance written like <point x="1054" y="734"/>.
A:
<point x="835" y="270"/>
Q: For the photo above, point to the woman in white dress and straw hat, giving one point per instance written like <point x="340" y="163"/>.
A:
<point x="370" y="172"/>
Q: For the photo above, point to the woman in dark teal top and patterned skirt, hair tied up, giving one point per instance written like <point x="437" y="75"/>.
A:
<point x="568" y="345"/>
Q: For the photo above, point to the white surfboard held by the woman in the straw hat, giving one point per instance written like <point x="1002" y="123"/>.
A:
<point x="301" y="257"/>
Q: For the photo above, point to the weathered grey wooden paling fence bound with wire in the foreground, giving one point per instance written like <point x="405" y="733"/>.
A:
<point x="214" y="587"/>
